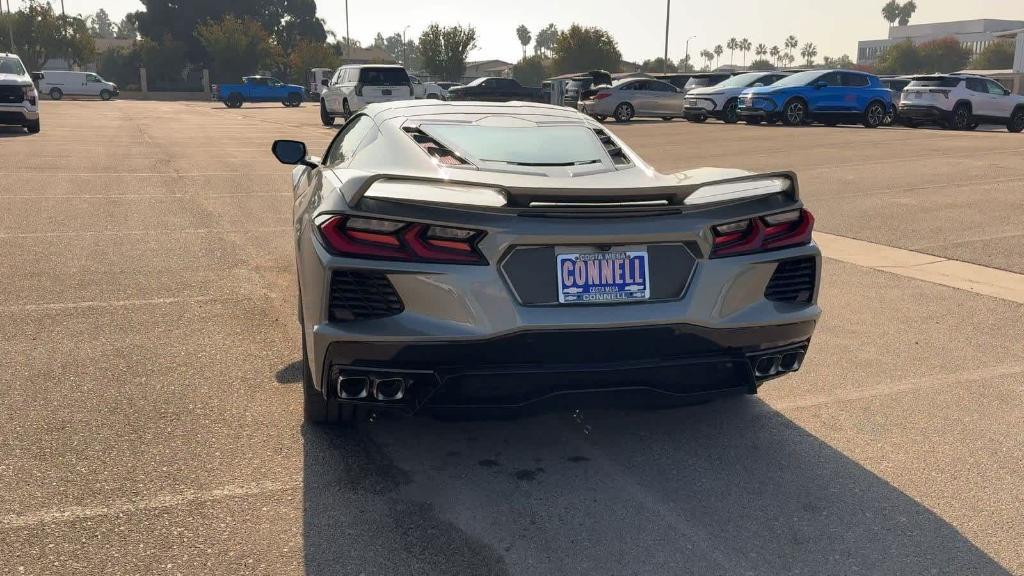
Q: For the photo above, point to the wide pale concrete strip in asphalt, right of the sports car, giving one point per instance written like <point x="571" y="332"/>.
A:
<point x="956" y="274"/>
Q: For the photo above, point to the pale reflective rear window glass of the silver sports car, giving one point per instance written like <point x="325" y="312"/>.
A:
<point x="534" y="146"/>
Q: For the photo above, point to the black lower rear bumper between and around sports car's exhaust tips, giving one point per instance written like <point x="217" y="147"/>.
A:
<point x="543" y="369"/>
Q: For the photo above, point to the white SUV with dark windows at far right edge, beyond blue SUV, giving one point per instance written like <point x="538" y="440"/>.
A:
<point x="961" y="103"/>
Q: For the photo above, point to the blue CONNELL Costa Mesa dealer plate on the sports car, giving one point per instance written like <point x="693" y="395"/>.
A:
<point x="604" y="277"/>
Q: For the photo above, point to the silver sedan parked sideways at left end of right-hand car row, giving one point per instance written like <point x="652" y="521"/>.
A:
<point x="635" y="98"/>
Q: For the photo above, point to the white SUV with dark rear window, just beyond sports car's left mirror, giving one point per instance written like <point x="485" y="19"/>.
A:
<point x="353" y="88"/>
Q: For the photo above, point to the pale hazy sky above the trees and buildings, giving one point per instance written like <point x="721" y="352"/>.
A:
<point x="638" y="26"/>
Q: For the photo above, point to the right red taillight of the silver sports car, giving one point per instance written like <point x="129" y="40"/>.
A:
<point x="783" y="230"/>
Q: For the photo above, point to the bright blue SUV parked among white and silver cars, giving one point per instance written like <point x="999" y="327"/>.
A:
<point x="830" y="97"/>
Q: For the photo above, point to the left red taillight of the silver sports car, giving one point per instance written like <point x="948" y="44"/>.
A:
<point x="393" y="240"/>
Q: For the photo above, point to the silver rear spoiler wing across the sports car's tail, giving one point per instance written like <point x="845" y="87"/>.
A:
<point x="647" y="199"/>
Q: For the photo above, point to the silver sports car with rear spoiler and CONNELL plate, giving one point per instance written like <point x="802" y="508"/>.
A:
<point x="495" y="257"/>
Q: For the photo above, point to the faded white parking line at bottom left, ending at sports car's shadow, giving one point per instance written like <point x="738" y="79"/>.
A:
<point x="155" y="503"/>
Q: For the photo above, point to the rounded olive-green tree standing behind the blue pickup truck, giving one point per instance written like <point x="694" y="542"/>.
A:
<point x="237" y="48"/>
